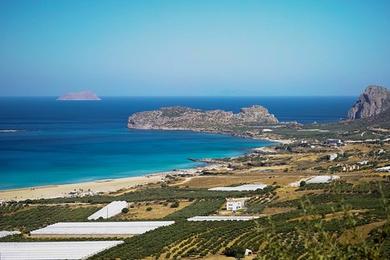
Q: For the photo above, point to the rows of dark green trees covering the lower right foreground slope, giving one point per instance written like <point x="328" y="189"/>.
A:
<point x="311" y="231"/>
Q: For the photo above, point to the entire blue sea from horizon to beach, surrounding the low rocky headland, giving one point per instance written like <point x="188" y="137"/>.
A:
<point x="64" y="142"/>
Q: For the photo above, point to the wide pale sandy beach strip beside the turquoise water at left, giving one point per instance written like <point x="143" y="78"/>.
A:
<point x="63" y="190"/>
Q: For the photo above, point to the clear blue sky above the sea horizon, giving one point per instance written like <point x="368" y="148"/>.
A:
<point x="193" y="48"/>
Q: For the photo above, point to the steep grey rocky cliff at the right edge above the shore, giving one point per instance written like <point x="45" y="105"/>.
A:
<point x="373" y="101"/>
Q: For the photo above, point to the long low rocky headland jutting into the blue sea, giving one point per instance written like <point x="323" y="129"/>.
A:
<point x="184" y="118"/>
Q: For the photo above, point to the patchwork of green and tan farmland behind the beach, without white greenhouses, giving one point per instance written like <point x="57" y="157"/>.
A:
<point x="349" y="217"/>
